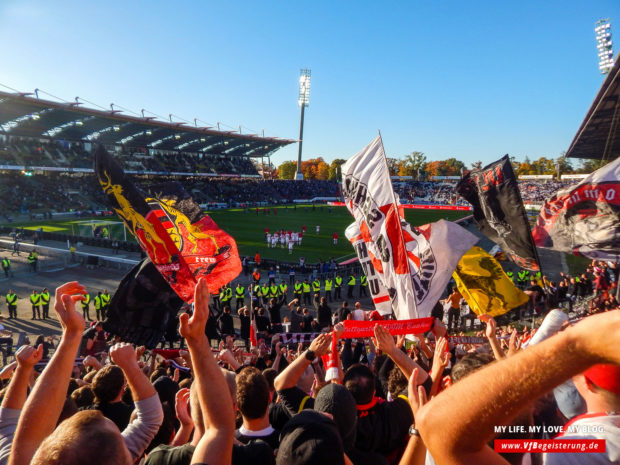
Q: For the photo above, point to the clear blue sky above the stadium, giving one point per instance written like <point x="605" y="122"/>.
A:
<point x="472" y="80"/>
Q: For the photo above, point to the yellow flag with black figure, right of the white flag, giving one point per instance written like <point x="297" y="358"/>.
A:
<point x="484" y="285"/>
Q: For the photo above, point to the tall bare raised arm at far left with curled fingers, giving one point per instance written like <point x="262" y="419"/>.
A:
<point x="43" y="407"/>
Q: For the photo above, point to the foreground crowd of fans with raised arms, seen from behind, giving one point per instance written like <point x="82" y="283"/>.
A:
<point x="331" y="400"/>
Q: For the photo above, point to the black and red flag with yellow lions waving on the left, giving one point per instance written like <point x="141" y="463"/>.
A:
<point x="182" y="242"/>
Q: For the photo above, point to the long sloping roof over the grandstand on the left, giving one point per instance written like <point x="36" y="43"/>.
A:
<point x="25" y="116"/>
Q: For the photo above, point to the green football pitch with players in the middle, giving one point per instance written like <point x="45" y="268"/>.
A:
<point x="248" y="229"/>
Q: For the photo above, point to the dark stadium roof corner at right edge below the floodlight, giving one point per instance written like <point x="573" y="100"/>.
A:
<point x="597" y="136"/>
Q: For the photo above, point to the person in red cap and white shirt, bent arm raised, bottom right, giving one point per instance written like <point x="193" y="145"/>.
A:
<point x="468" y="412"/>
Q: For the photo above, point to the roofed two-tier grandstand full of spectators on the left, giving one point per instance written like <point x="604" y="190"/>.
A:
<point x="46" y="156"/>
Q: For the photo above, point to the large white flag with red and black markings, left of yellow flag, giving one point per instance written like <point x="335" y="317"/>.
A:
<point x="414" y="263"/>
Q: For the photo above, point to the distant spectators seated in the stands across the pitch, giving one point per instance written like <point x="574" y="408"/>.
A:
<point x="66" y="194"/>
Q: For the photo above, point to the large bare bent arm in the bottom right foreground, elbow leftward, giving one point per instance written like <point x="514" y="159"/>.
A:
<point x="491" y="396"/>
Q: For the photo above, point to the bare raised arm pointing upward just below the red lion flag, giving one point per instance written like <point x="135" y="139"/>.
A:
<point x="215" y="446"/>
